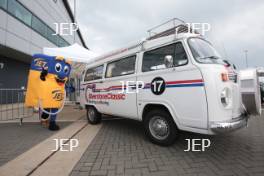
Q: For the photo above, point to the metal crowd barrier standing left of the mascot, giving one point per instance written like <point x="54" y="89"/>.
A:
<point x="12" y="105"/>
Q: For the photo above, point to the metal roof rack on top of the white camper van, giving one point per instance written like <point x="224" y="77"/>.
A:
<point x="170" y="27"/>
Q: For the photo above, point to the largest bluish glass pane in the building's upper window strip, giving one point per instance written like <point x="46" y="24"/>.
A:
<point x="19" y="12"/>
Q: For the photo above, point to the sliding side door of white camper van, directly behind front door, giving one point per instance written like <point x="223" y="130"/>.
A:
<point x="119" y="86"/>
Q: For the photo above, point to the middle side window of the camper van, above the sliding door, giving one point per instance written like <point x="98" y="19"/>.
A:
<point x="121" y="67"/>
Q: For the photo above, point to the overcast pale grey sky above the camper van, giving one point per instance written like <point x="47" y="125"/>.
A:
<point x="236" y="25"/>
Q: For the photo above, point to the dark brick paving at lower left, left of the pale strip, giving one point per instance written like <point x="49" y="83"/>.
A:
<point x="16" y="139"/>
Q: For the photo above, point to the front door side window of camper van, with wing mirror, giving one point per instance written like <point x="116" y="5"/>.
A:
<point x="165" y="57"/>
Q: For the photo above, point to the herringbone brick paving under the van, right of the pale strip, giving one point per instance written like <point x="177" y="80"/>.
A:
<point x="120" y="148"/>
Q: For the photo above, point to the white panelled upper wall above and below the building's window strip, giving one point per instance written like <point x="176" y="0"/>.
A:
<point x="15" y="34"/>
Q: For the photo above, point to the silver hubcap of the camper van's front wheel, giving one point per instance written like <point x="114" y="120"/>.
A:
<point x="159" y="127"/>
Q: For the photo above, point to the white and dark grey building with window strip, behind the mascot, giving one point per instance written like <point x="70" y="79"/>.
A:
<point x="26" y="26"/>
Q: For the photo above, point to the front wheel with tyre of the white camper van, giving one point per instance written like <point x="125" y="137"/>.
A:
<point x="160" y="127"/>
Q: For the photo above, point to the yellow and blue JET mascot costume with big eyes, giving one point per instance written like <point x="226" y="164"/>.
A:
<point x="46" y="86"/>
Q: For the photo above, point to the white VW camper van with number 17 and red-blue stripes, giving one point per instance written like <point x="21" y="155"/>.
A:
<point x="174" y="80"/>
